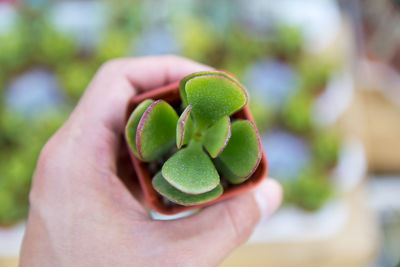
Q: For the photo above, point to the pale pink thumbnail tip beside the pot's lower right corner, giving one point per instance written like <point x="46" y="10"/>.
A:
<point x="268" y="196"/>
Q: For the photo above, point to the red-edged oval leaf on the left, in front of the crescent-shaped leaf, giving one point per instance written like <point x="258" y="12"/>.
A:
<point x="156" y="131"/>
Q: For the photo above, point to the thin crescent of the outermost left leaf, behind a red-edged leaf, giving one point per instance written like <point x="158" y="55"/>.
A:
<point x="133" y="122"/>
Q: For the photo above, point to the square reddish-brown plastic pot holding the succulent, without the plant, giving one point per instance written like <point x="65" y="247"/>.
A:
<point x="153" y="200"/>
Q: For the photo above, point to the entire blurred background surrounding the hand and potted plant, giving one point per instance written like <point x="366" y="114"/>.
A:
<point x="324" y="81"/>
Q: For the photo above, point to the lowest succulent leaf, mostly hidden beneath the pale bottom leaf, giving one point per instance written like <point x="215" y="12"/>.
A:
<point x="165" y="189"/>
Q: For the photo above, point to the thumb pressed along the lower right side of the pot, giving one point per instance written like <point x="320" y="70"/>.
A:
<point x="219" y="229"/>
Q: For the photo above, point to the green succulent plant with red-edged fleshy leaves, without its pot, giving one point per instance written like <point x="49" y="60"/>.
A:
<point x="211" y="146"/>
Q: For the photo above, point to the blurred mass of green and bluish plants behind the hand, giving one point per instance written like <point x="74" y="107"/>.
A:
<point x="49" y="52"/>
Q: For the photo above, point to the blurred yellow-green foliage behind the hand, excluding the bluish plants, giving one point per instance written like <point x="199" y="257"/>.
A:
<point x="217" y="39"/>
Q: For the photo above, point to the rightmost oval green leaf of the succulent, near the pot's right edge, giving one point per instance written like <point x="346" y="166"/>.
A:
<point x="243" y="151"/>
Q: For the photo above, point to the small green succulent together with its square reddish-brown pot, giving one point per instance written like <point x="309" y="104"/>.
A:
<point x="211" y="152"/>
